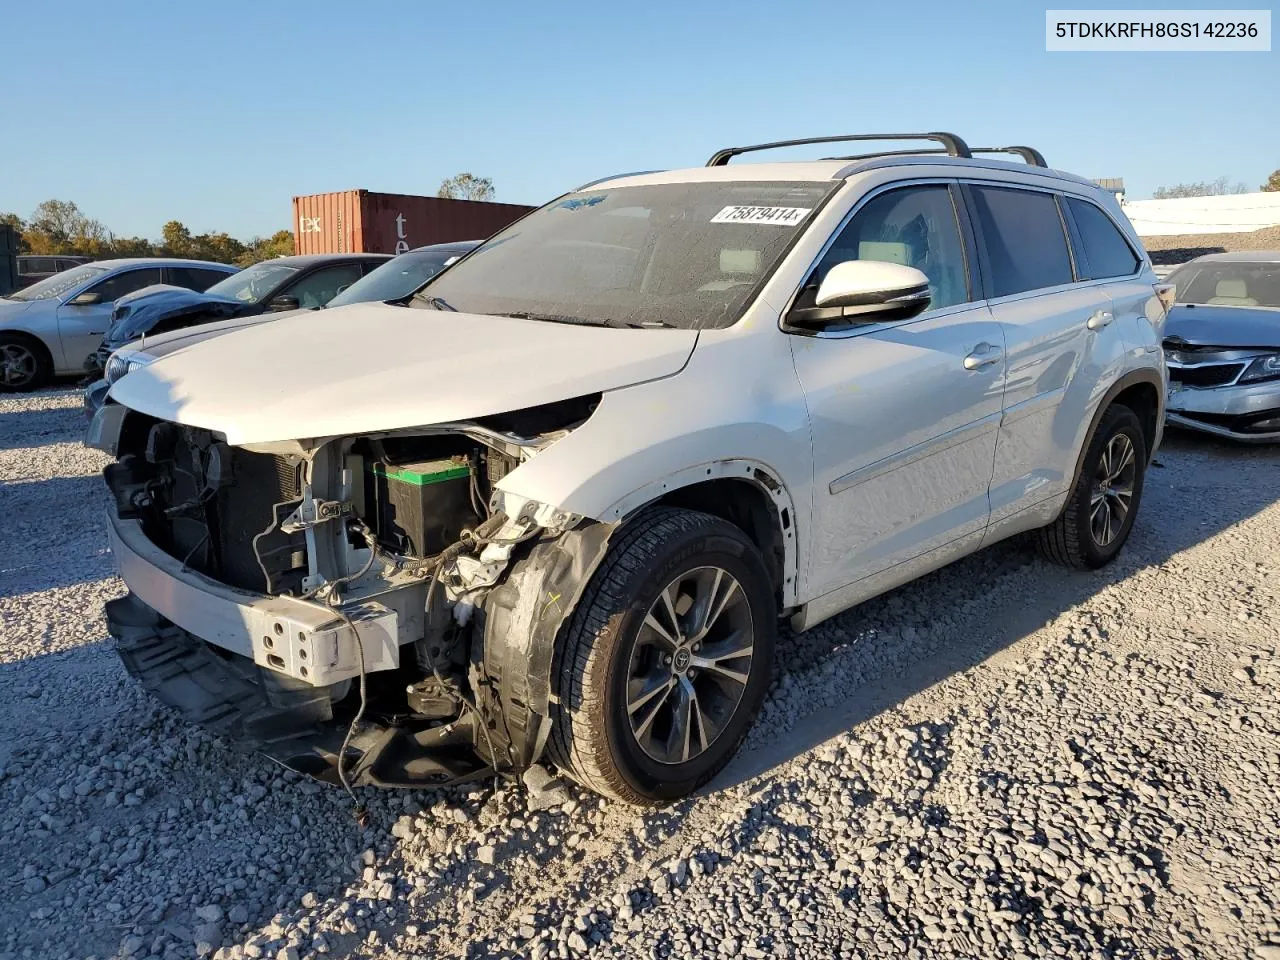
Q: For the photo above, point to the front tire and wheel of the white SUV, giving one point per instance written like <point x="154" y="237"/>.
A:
<point x="612" y="655"/>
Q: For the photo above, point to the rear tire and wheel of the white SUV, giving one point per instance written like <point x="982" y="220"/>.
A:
<point x="1075" y="538"/>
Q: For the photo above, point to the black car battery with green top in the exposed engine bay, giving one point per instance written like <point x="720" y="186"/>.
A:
<point x="420" y="509"/>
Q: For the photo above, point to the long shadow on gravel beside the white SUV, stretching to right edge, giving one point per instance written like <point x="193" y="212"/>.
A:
<point x="981" y="624"/>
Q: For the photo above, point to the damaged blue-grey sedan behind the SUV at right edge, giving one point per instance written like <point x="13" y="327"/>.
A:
<point x="1223" y="346"/>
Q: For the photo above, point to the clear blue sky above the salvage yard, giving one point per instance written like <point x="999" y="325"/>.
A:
<point x="217" y="115"/>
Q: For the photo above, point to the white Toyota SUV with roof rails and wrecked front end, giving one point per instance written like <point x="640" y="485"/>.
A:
<point x="565" y="493"/>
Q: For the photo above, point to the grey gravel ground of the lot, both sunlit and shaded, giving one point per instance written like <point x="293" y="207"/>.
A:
<point x="1000" y="760"/>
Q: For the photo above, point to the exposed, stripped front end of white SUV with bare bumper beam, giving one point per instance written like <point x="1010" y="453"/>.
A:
<point x="281" y="592"/>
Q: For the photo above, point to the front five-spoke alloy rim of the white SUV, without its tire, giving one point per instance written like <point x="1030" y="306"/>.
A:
<point x="689" y="665"/>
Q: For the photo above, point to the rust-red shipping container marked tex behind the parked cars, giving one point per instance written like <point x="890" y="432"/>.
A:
<point x="359" y="222"/>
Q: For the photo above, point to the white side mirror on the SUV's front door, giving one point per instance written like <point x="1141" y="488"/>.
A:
<point x="866" y="291"/>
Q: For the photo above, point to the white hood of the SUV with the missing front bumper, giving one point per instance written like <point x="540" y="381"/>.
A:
<point x="371" y="367"/>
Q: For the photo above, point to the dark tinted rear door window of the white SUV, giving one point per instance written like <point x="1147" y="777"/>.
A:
<point x="1023" y="235"/>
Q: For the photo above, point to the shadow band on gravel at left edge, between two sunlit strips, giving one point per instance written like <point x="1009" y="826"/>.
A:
<point x="44" y="543"/>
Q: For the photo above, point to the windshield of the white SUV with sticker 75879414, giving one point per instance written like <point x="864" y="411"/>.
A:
<point x="684" y="255"/>
